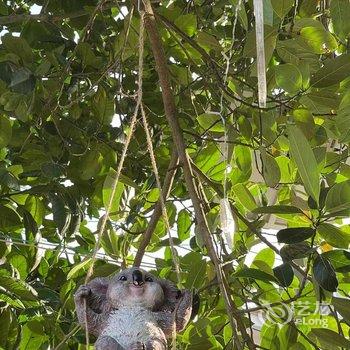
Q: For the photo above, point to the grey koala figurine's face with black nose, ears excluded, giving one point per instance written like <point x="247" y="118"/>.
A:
<point x="135" y="287"/>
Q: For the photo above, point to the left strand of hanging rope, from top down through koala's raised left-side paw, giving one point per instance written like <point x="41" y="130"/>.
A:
<point x="120" y="167"/>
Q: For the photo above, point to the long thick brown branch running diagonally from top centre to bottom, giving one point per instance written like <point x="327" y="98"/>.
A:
<point x="170" y="113"/>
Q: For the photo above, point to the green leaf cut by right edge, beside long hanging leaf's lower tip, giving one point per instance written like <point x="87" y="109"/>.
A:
<point x="338" y="197"/>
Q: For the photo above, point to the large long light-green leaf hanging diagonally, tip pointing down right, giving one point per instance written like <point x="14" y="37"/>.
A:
<point x="305" y="161"/>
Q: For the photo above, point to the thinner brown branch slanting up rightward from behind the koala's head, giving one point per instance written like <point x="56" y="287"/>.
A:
<point x="157" y="212"/>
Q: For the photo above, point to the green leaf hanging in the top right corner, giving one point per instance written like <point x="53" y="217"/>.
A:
<point x="339" y="13"/>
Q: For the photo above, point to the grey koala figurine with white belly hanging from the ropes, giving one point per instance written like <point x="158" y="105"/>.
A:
<point x="132" y="310"/>
